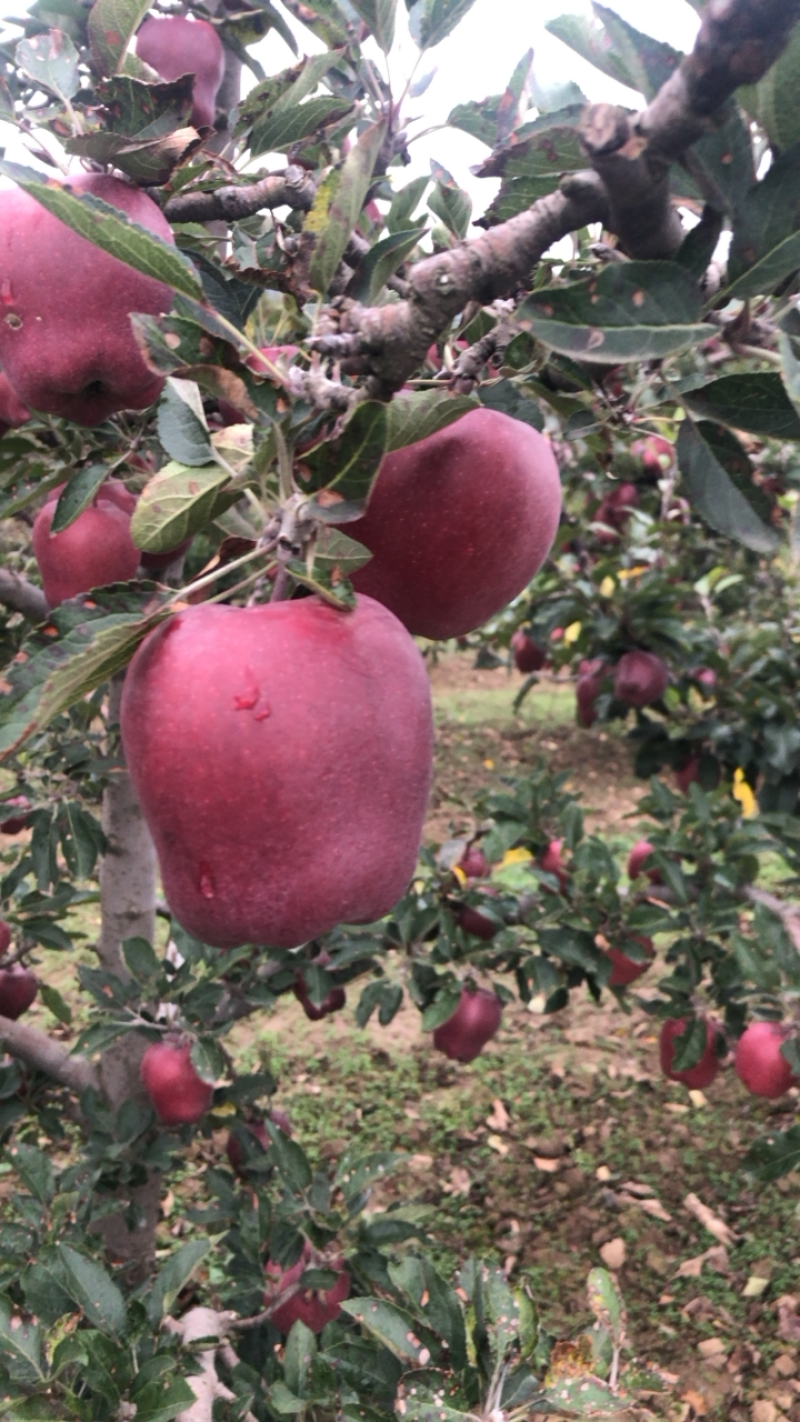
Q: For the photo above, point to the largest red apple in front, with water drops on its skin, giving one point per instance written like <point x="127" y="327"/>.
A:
<point x="282" y="756"/>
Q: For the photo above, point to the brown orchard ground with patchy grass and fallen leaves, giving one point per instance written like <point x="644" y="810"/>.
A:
<point x="562" y="1147"/>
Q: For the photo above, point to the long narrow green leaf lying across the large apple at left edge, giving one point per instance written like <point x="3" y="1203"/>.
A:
<point x="110" y="230"/>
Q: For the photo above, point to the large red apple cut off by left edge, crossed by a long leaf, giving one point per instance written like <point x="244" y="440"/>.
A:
<point x="66" y="343"/>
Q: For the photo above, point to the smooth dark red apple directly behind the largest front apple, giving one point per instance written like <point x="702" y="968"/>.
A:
<point x="460" y="524"/>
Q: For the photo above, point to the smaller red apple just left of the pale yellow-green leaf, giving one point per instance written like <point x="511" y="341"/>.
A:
<point x="96" y="550"/>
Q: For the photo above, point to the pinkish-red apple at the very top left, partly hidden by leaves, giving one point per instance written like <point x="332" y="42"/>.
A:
<point x="178" y="45"/>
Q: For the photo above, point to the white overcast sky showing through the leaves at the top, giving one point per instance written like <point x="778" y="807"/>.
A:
<point x="475" y="63"/>
